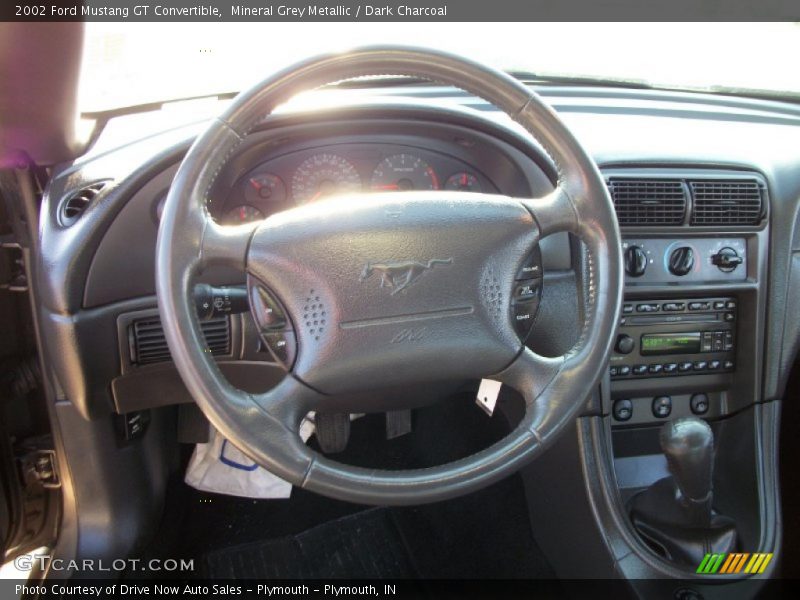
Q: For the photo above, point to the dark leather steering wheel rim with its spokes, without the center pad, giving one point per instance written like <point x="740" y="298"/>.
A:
<point x="265" y="426"/>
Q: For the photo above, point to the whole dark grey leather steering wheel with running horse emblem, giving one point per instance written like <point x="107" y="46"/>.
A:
<point x="350" y="275"/>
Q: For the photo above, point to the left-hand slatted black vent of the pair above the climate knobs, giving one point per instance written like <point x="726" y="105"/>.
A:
<point x="648" y="201"/>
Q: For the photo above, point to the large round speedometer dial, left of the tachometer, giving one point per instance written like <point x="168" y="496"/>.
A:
<point x="324" y="175"/>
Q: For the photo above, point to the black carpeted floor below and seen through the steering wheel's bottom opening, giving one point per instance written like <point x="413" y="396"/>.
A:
<point x="486" y="534"/>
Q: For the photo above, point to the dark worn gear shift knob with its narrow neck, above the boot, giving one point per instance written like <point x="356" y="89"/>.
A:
<point x="688" y="445"/>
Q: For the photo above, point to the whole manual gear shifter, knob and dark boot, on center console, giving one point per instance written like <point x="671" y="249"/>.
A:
<point x="675" y="513"/>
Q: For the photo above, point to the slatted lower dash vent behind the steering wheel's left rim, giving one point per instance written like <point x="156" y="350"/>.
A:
<point x="148" y="344"/>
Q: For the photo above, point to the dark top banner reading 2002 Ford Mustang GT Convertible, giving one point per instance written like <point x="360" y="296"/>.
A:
<point x="267" y="11"/>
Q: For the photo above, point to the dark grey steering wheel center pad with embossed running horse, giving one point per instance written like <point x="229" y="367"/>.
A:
<point x="381" y="291"/>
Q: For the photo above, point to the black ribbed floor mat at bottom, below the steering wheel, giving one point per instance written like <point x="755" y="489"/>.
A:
<point x="366" y="545"/>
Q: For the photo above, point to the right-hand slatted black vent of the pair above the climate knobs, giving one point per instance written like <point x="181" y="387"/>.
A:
<point x="727" y="202"/>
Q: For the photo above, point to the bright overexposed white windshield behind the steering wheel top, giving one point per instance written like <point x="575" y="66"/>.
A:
<point x="127" y="64"/>
